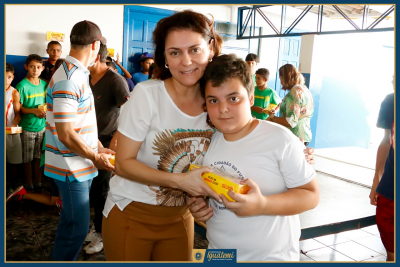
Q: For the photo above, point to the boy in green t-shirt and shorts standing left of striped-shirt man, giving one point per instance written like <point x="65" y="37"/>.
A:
<point x="33" y="92"/>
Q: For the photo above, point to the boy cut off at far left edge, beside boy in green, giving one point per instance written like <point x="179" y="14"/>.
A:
<point x="13" y="117"/>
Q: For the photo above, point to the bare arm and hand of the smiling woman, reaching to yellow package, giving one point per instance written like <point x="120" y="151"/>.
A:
<point x="127" y="166"/>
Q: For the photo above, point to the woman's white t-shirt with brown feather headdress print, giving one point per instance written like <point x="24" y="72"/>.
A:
<point x="172" y="140"/>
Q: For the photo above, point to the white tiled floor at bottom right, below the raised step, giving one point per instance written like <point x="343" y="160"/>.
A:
<point x="357" y="245"/>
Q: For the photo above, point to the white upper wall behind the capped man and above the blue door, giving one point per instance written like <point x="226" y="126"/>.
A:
<point x="27" y="25"/>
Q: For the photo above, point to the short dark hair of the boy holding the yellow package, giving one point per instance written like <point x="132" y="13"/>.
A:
<point x="223" y="68"/>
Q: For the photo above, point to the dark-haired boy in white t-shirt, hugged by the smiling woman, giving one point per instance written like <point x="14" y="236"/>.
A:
<point x="263" y="225"/>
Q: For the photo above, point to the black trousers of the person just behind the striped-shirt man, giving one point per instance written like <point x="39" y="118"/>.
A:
<point x="98" y="196"/>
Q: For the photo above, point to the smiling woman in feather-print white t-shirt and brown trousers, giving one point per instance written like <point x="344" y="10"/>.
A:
<point x="162" y="130"/>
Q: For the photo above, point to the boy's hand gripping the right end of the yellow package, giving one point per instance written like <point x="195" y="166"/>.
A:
<point x="252" y="203"/>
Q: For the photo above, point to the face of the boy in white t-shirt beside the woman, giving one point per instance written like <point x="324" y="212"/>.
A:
<point x="228" y="105"/>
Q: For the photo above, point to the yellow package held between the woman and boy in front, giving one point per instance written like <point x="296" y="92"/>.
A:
<point x="221" y="182"/>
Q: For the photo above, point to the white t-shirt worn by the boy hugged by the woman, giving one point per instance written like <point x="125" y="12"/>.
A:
<point x="273" y="157"/>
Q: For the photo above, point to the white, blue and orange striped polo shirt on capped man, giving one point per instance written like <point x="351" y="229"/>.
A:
<point x="70" y="99"/>
